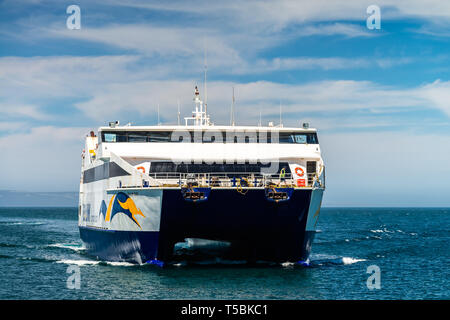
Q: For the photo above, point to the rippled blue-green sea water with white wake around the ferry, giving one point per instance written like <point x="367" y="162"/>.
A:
<point x="410" y="246"/>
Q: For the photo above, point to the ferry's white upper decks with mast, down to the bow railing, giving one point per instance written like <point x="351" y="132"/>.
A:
<point x="171" y="154"/>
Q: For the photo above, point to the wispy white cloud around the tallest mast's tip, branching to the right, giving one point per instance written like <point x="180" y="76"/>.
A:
<point x="177" y="48"/>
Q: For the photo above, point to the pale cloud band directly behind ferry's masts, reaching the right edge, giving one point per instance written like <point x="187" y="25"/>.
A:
<point x="112" y="101"/>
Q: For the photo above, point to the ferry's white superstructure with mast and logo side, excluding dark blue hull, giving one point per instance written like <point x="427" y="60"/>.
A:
<point x="141" y="162"/>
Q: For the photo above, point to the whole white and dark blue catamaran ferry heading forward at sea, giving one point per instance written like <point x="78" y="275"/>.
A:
<point x="146" y="190"/>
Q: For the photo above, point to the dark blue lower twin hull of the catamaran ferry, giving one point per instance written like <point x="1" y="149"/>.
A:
<point x="256" y="228"/>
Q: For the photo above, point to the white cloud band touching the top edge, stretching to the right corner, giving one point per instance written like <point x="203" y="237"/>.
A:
<point x="278" y="14"/>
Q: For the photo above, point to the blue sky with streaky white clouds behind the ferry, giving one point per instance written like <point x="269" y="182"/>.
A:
<point x="380" y="98"/>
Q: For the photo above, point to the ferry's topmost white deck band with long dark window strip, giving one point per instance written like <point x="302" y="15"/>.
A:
<point x="211" y="143"/>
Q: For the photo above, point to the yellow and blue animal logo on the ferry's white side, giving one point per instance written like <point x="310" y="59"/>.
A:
<point x="121" y="203"/>
